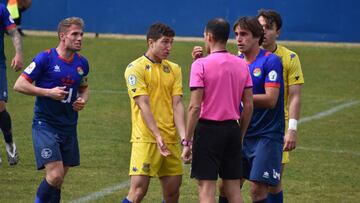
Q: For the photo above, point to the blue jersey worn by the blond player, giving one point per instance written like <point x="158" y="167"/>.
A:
<point x="49" y="70"/>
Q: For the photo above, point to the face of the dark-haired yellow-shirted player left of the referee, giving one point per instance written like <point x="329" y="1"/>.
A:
<point x="161" y="48"/>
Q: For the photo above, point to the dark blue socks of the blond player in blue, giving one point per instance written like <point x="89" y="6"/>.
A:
<point x="47" y="193"/>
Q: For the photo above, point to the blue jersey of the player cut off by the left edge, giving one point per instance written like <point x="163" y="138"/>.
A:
<point x="6" y="23"/>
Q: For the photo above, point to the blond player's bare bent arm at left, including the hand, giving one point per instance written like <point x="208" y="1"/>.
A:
<point x="22" y="85"/>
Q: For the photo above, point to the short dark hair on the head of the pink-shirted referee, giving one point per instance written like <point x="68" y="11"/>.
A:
<point x="220" y="29"/>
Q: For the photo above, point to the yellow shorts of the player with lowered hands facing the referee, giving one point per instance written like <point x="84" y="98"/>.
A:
<point x="146" y="160"/>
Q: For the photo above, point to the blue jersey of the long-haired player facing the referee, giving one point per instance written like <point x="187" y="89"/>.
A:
<point x="266" y="71"/>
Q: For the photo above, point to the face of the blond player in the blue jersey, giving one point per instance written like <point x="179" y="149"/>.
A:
<point x="72" y="38"/>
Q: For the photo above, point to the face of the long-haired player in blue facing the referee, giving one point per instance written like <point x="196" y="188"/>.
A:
<point x="245" y="41"/>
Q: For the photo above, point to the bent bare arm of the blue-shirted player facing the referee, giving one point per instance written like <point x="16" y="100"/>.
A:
<point x="267" y="100"/>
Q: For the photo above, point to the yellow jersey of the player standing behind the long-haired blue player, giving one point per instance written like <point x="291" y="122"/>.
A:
<point x="292" y="73"/>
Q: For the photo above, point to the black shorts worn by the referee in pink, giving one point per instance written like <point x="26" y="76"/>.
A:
<point x="216" y="150"/>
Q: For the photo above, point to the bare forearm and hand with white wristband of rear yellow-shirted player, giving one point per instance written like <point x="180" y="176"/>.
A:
<point x="290" y="139"/>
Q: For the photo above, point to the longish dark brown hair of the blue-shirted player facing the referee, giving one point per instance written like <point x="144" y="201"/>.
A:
<point x="251" y="24"/>
